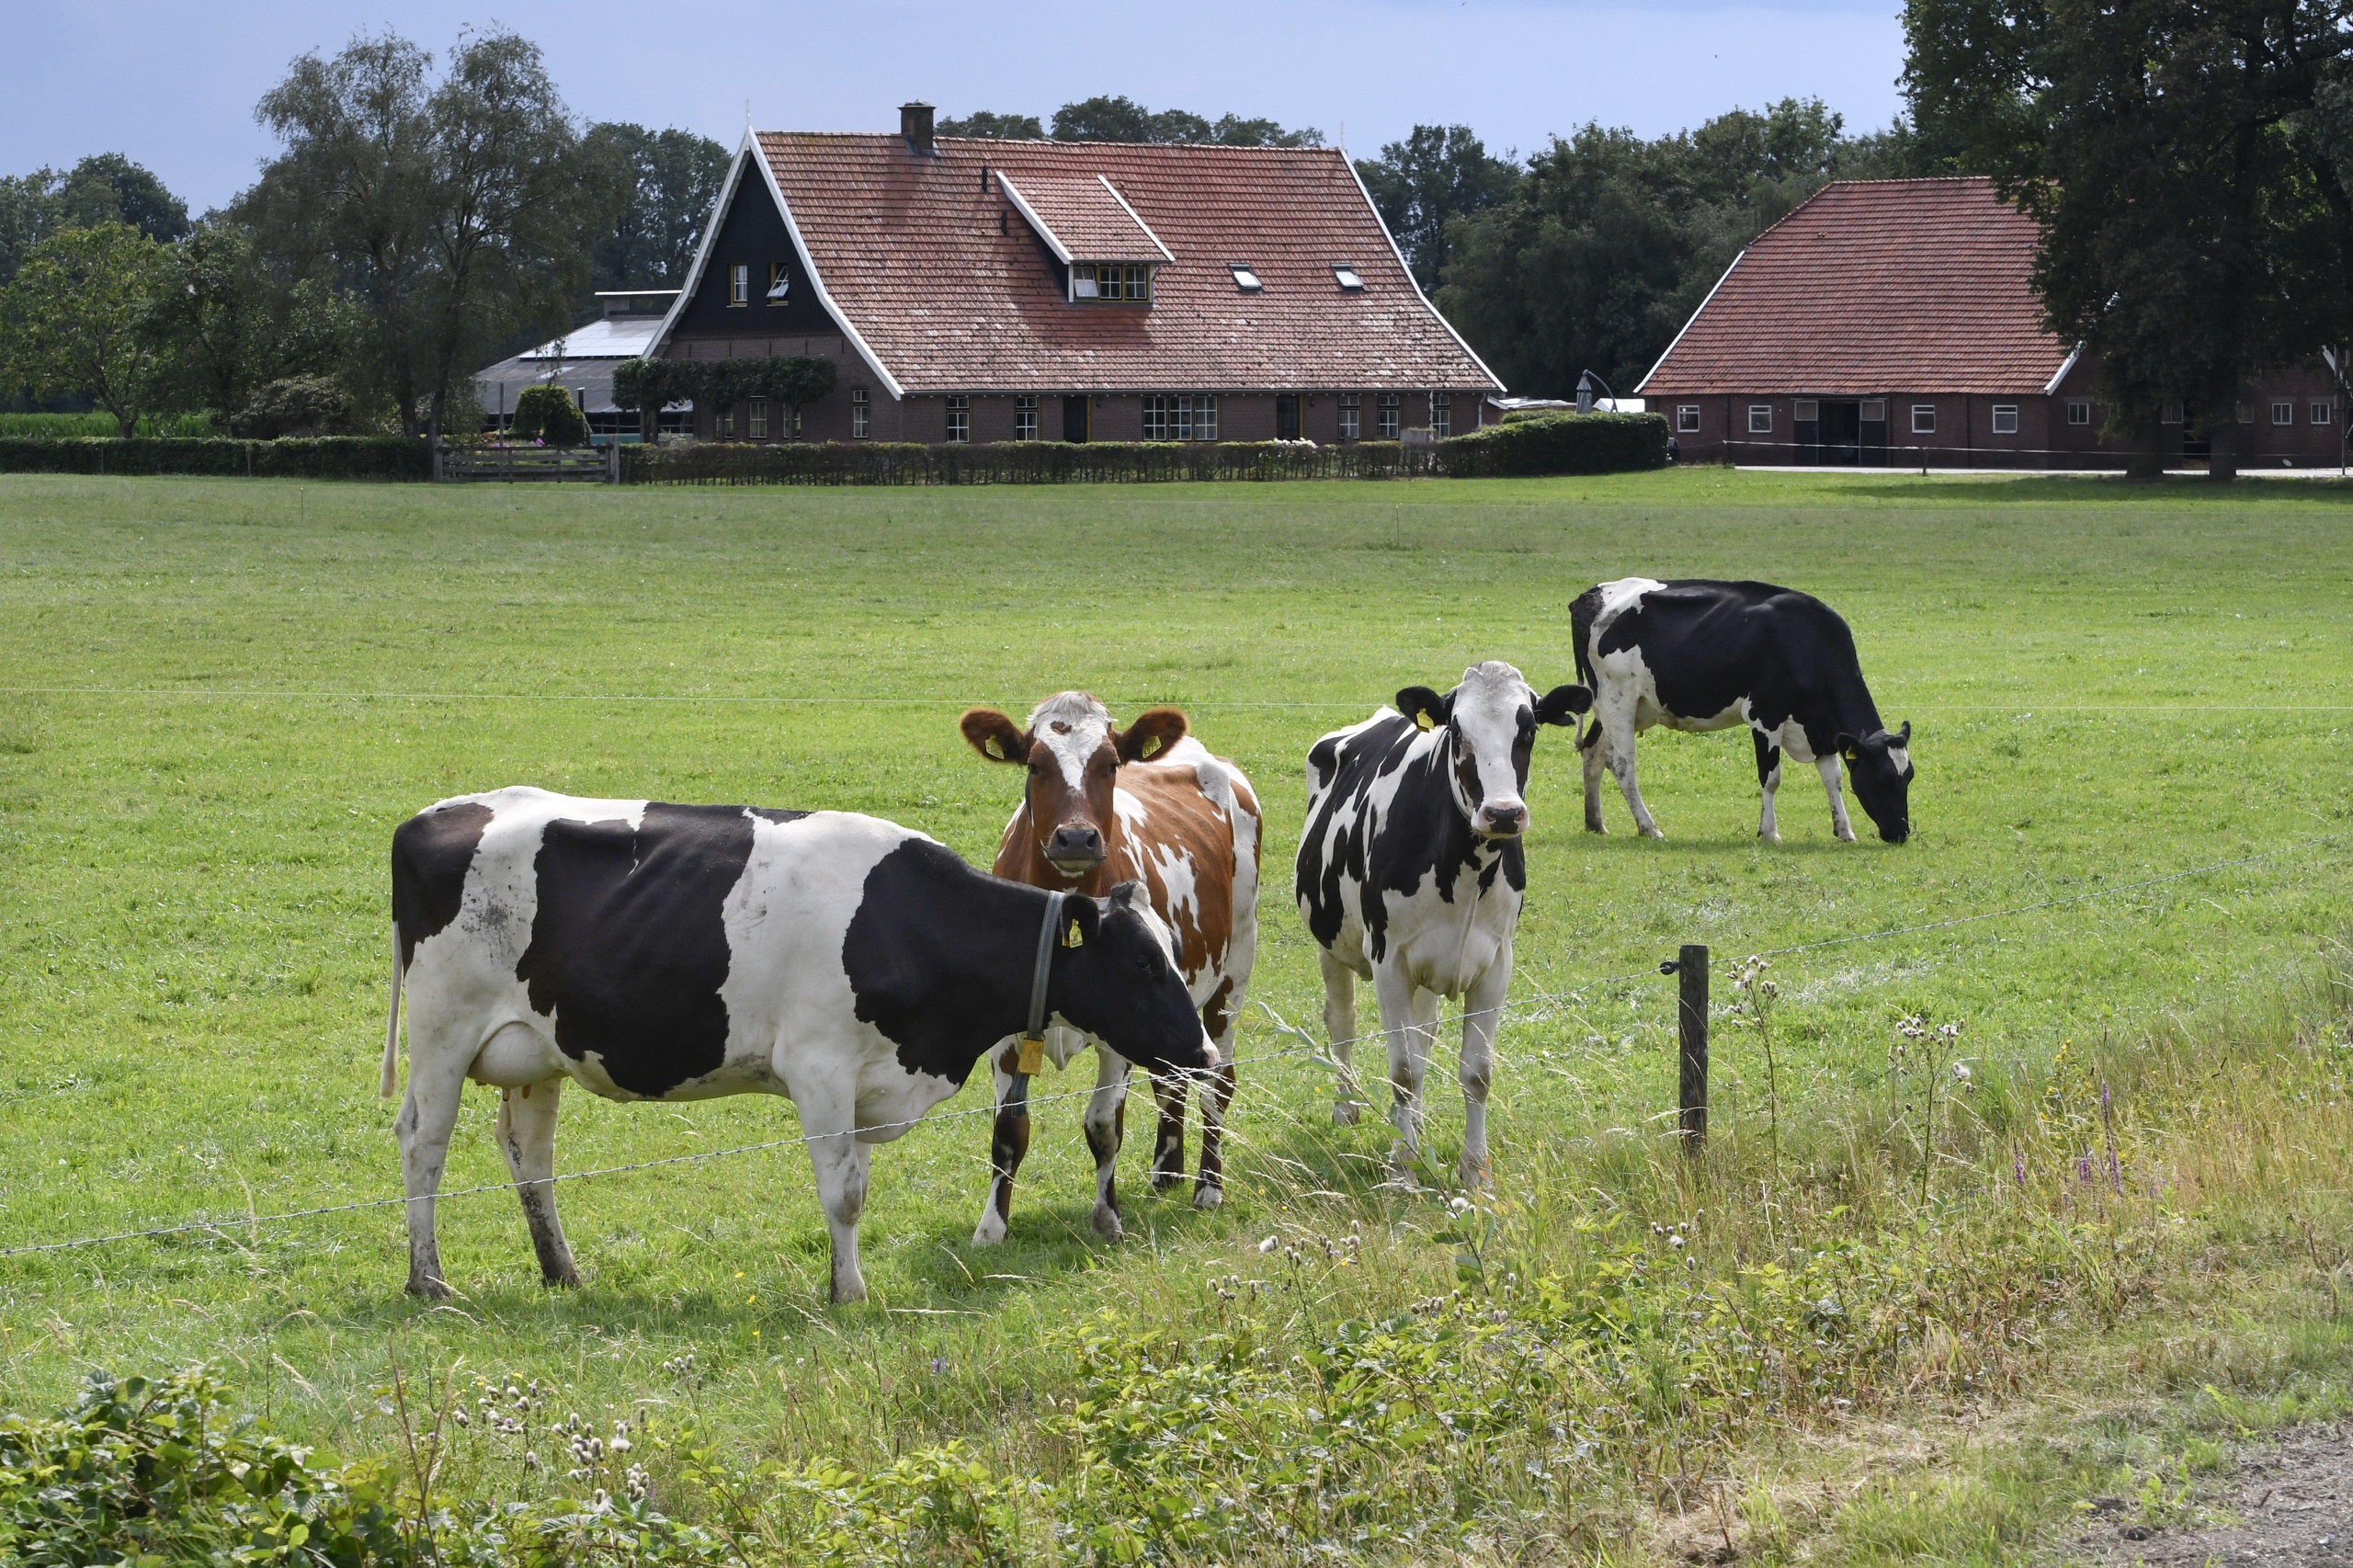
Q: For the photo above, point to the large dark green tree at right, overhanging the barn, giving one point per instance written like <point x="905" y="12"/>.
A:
<point x="2187" y="166"/>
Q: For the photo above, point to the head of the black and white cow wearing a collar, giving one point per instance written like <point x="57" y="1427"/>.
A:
<point x="1116" y="978"/>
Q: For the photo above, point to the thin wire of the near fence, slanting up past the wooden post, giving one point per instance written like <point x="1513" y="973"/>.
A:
<point x="1307" y="1047"/>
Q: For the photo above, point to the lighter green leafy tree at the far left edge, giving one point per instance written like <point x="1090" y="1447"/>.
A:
<point x="79" y="319"/>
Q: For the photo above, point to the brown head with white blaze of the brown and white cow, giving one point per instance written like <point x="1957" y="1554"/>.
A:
<point x="1072" y="755"/>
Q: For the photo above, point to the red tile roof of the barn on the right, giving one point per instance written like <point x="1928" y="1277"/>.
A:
<point x="1872" y="288"/>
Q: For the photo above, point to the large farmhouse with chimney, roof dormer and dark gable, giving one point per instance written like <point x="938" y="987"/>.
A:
<point x="1067" y="291"/>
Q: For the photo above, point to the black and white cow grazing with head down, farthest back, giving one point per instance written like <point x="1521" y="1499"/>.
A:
<point x="1709" y="656"/>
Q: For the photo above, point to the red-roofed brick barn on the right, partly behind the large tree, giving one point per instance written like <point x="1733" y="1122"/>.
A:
<point x="1895" y="324"/>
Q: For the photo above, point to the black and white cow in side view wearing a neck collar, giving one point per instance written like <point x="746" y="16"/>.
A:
<point x="686" y="952"/>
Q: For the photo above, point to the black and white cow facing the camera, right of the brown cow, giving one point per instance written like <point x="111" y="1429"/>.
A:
<point x="1411" y="875"/>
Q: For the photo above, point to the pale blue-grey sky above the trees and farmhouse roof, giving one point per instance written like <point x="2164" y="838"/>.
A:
<point x="175" y="86"/>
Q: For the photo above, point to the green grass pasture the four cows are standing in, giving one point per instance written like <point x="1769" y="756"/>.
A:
<point x="220" y="698"/>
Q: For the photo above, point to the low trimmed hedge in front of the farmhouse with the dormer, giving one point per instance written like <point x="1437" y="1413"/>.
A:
<point x="1568" y="444"/>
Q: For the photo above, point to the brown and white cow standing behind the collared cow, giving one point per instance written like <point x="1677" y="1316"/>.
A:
<point x="1109" y="806"/>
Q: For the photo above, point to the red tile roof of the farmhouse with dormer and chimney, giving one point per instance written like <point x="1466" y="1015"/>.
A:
<point x="949" y="288"/>
